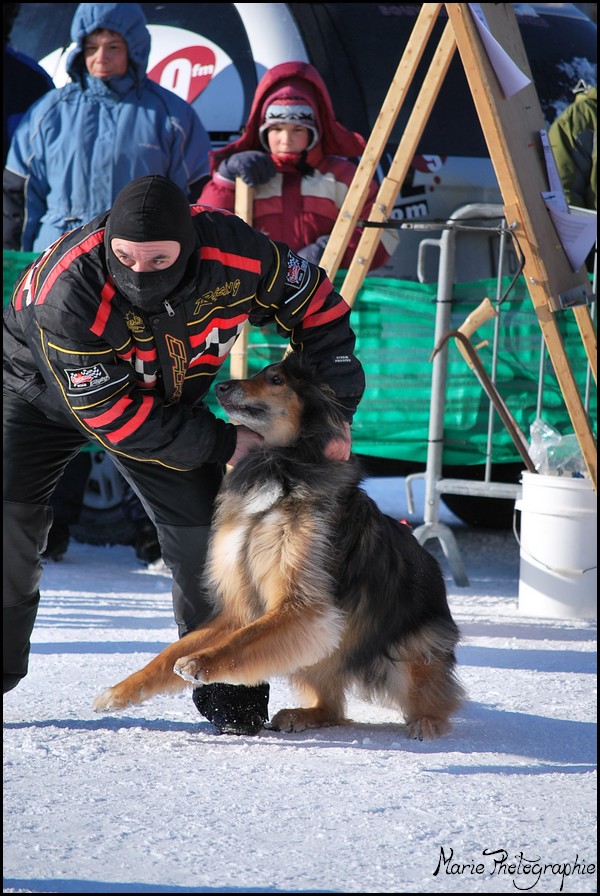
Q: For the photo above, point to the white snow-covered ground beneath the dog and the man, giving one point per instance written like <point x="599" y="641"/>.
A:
<point x="152" y="801"/>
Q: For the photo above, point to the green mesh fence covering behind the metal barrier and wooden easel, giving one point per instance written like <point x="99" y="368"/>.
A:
<point x="395" y="325"/>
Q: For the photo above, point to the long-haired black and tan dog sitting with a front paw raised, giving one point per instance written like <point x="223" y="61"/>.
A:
<point x="309" y="579"/>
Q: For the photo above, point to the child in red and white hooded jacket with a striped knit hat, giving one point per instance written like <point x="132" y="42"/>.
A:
<point x="296" y="156"/>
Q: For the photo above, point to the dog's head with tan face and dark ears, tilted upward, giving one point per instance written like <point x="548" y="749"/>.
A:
<point x="285" y="403"/>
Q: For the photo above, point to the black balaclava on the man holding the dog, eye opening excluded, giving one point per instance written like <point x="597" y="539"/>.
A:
<point x="148" y="209"/>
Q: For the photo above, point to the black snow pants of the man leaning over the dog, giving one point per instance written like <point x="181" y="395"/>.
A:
<point x="36" y="452"/>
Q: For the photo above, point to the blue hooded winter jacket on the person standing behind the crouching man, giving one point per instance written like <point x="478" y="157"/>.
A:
<point x="79" y="145"/>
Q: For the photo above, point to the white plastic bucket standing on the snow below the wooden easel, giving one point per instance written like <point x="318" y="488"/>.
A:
<point x="558" y="554"/>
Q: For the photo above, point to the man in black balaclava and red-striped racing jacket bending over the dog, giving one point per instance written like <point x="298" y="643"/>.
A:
<point x="114" y="335"/>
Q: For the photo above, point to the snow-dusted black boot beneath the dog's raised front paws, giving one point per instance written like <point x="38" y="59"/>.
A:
<point x="233" y="709"/>
